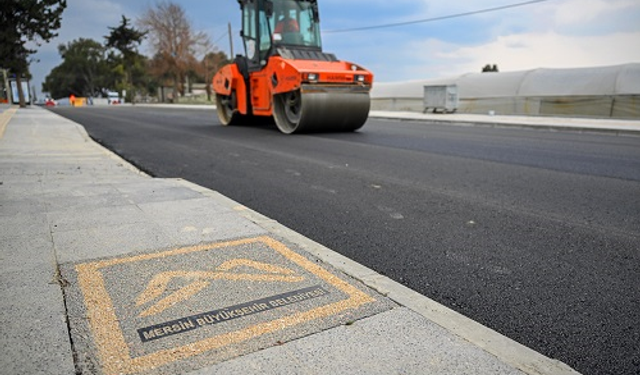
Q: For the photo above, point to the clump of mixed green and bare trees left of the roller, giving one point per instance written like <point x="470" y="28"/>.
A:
<point x="90" y="68"/>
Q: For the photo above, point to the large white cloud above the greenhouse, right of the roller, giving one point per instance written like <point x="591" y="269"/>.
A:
<point x="553" y="34"/>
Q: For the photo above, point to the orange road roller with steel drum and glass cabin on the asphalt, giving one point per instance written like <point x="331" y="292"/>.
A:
<point x="284" y="74"/>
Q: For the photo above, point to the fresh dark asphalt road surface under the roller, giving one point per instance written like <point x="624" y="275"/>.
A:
<point x="533" y="233"/>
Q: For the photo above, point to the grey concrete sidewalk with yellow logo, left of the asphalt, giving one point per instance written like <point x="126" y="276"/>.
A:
<point x="106" y="270"/>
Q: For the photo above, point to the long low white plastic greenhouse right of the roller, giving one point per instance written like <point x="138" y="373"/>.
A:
<point x="607" y="92"/>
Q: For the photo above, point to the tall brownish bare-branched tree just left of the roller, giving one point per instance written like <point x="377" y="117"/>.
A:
<point x="174" y="42"/>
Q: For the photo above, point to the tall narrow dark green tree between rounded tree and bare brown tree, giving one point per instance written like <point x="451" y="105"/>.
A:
<point x="125" y="40"/>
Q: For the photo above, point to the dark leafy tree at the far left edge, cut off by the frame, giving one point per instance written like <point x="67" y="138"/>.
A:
<point x="25" y="21"/>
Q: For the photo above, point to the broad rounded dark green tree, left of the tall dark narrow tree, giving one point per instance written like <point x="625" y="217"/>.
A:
<point x="84" y="70"/>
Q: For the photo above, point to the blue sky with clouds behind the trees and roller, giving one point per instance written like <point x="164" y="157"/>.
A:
<point x="551" y="34"/>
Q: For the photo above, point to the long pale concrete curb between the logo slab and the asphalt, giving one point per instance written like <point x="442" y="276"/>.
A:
<point x="502" y="347"/>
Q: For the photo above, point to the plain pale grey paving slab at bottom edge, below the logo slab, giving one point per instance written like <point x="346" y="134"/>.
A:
<point x="392" y="342"/>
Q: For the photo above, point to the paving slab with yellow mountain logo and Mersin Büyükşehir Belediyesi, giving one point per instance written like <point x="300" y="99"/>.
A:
<point x="188" y="307"/>
